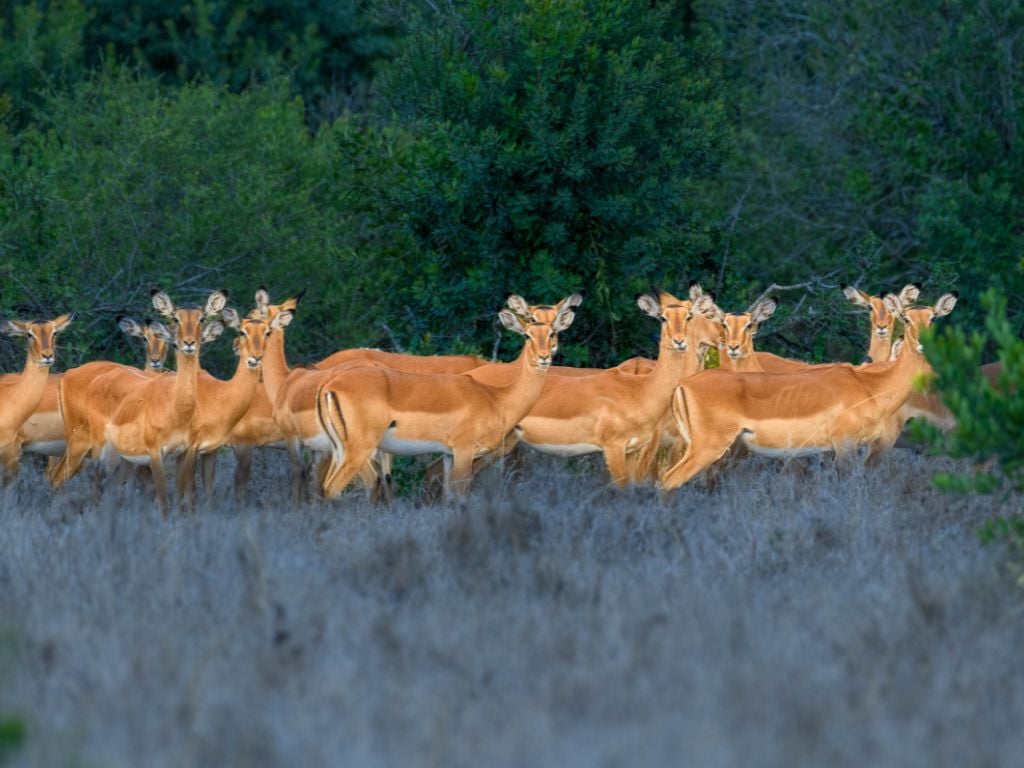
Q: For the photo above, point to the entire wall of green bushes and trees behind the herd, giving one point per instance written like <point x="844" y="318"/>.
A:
<point x="413" y="162"/>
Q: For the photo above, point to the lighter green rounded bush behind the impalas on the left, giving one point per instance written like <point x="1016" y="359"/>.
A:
<point x="123" y="189"/>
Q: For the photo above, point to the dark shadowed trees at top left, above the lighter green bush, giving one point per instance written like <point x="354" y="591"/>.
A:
<point x="329" y="50"/>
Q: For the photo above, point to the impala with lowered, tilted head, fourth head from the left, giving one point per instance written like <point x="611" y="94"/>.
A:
<point x="222" y="405"/>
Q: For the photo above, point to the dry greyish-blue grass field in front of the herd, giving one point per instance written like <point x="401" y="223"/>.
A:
<point x="788" y="619"/>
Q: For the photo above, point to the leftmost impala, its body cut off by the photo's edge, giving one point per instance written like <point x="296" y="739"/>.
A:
<point x="21" y="396"/>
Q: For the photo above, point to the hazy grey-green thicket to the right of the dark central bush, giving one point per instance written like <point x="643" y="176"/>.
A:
<point x="898" y="123"/>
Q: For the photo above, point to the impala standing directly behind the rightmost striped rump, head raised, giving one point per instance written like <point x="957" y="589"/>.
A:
<point x="614" y="413"/>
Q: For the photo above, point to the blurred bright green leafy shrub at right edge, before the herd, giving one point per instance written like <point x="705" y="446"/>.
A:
<point x="990" y="409"/>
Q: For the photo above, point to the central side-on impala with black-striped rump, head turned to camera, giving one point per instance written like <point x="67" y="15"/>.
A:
<point x="460" y="415"/>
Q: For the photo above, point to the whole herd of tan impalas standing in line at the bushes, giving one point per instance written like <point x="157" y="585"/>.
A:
<point x="358" y="408"/>
